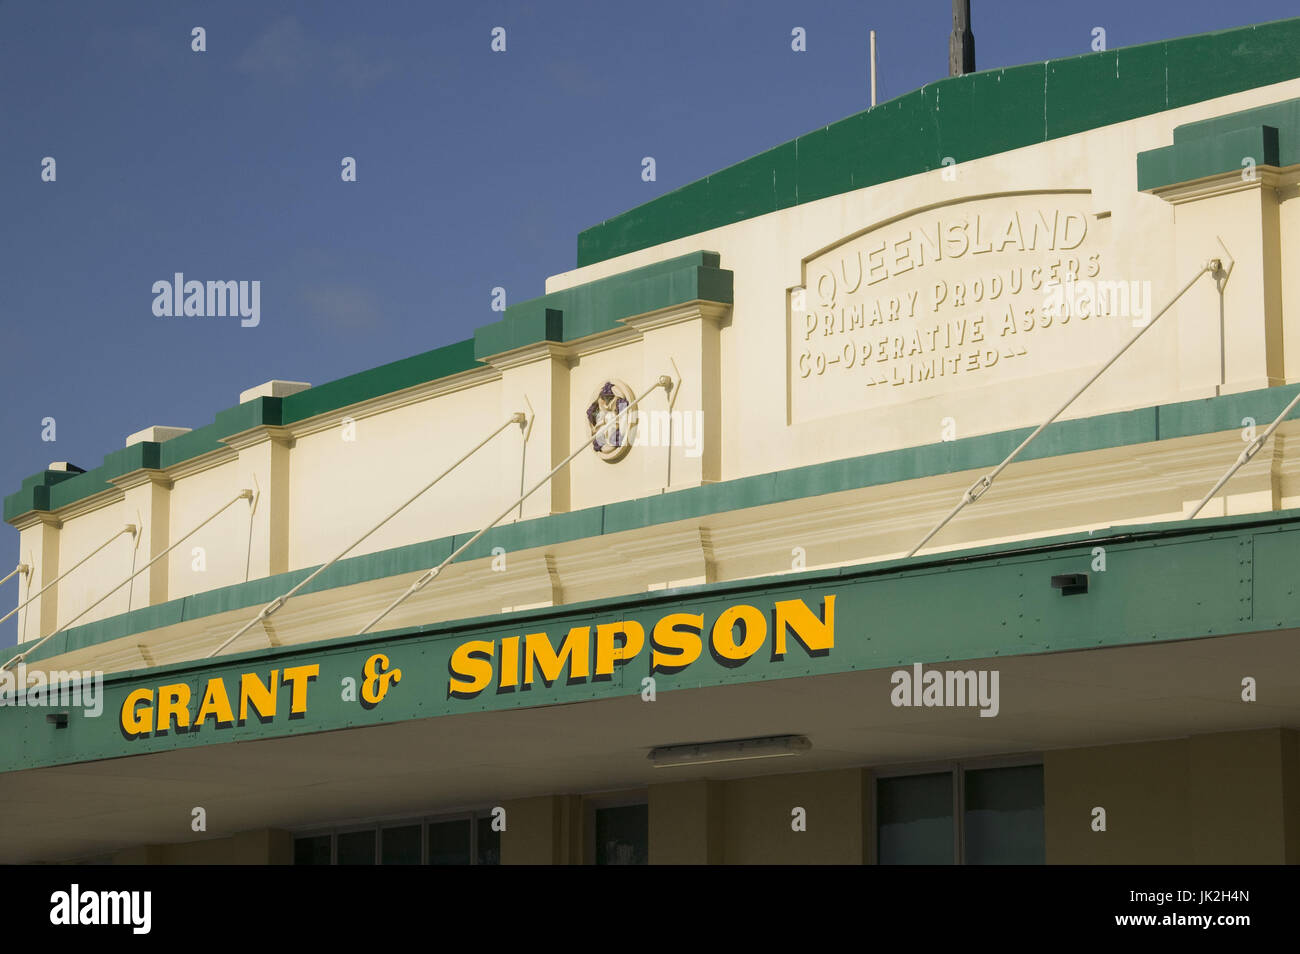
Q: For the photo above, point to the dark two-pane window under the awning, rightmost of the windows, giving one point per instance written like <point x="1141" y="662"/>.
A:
<point x="964" y="816"/>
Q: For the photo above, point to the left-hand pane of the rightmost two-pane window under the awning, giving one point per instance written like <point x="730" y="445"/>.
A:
<point x="915" y="819"/>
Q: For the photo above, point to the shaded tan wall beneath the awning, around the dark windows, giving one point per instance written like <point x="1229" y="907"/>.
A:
<point x="1220" y="799"/>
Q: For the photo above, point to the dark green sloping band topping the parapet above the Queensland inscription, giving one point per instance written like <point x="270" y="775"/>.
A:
<point x="961" y="118"/>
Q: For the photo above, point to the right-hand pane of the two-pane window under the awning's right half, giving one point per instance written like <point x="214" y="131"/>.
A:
<point x="1004" y="817"/>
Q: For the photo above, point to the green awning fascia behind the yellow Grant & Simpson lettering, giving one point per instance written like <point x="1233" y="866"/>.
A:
<point x="944" y="610"/>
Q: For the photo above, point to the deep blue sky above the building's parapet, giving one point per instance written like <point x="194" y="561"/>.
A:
<point x="475" y="170"/>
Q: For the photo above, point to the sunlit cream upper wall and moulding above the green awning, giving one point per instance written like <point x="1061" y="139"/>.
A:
<point x="752" y="375"/>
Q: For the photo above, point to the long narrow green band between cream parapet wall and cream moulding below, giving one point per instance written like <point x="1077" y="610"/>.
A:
<point x="1121" y="430"/>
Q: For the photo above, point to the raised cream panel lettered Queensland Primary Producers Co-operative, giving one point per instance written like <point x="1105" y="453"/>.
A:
<point x="941" y="301"/>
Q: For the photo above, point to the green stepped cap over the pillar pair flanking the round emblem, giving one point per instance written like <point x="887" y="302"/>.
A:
<point x="599" y="306"/>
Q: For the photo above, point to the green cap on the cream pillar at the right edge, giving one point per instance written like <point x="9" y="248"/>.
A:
<point x="1271" y="136"/>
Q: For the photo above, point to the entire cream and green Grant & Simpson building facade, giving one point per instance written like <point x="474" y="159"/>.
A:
<point x="717" y="630"/>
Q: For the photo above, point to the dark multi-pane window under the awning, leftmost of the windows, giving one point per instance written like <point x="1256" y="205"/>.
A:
<point x="460" y="840"/>
